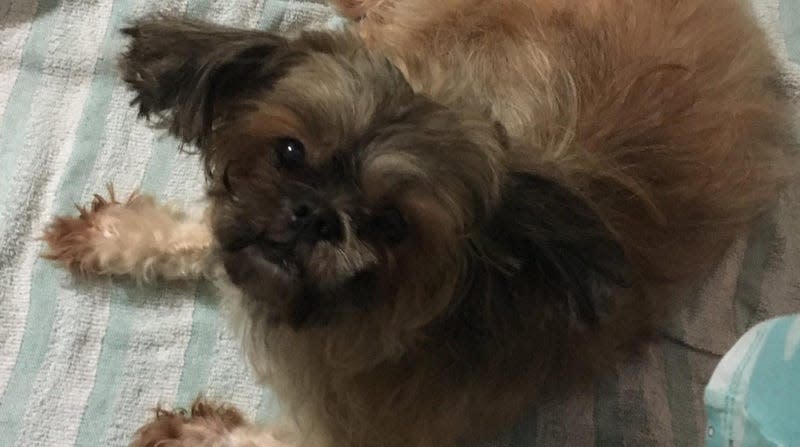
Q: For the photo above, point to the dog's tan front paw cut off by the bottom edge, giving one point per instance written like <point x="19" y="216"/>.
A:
<point x="206" y="424"/>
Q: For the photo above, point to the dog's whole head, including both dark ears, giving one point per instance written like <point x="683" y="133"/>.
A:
<point x="338" y="192"/>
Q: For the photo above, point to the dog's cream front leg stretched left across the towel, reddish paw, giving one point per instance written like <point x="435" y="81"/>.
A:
<point x="138" y="238"/>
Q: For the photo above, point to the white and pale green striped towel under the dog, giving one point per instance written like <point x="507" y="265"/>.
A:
<point x="80" y="364"/>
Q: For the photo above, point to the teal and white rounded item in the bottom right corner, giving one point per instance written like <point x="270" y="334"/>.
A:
<point x="753" y="398"/>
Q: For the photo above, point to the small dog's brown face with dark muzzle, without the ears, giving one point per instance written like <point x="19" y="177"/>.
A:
<point x="334" y="185"/>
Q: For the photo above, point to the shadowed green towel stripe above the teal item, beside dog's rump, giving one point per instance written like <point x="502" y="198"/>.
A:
<point x="761" y="245"/>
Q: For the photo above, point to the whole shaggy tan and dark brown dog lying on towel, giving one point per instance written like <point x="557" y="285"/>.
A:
<point x="450" y="211"/>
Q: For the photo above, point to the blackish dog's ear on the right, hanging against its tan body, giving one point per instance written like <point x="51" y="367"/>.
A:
<point x="546" y="242"/>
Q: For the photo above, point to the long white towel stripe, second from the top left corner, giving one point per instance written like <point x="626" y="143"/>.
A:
<point x="51" y="129"/>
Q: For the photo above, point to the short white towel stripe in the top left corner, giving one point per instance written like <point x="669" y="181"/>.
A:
<point x="14" y="29"/>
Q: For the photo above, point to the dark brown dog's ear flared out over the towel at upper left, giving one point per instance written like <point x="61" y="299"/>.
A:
<point x="186" y="73"/>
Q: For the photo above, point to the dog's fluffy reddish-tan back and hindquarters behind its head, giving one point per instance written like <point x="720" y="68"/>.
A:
<point x="588" y="86"/>
